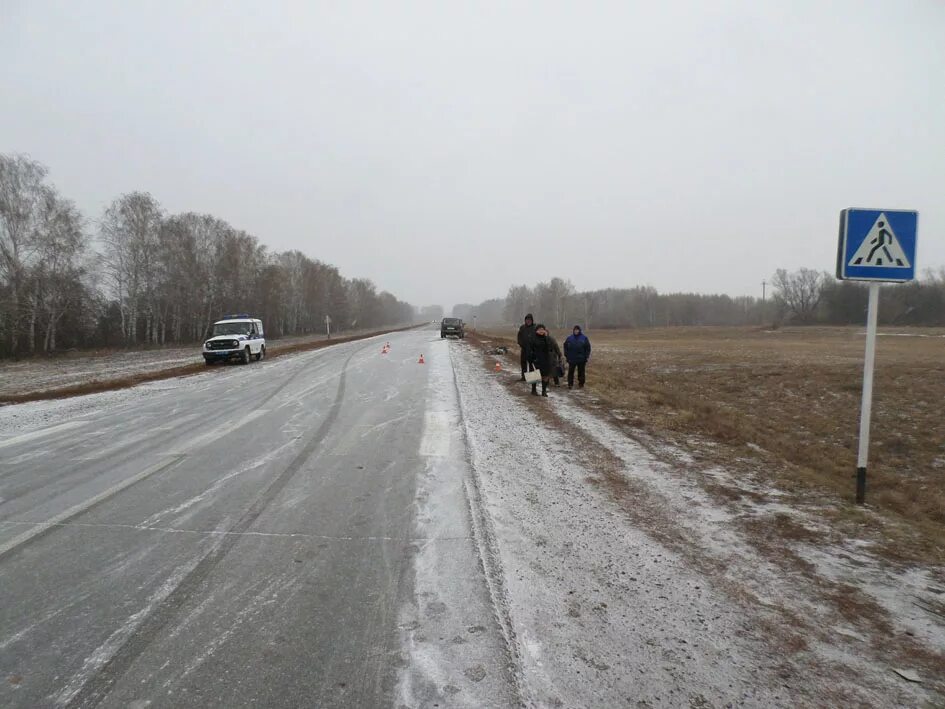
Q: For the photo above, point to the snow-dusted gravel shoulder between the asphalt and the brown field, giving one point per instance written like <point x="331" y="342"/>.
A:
<point x="625" y="580"/>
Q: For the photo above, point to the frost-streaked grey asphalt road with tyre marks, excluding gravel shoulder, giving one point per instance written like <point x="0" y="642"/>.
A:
<point x="251" y="537"/>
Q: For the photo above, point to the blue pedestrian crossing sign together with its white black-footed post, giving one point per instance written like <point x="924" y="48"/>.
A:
<point x="877" y="246"/>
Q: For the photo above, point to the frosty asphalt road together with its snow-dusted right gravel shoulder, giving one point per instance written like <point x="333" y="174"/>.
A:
<point x="346" y="528"/>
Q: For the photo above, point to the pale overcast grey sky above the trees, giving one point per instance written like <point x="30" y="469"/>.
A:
<point x="447" y="150"/>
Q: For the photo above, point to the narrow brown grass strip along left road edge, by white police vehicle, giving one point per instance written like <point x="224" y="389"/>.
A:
<point x="273" y="350"/>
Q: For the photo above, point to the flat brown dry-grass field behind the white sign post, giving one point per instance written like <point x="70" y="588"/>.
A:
<point x="785" y="404"/>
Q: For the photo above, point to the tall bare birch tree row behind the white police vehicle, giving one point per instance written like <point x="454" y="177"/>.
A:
<point x="140" y="276"/>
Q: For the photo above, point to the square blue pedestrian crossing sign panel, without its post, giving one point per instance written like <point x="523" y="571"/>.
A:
<point x="877" y="245"/>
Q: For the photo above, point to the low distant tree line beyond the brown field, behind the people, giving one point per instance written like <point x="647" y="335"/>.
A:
<point x="803" y="297"/>
